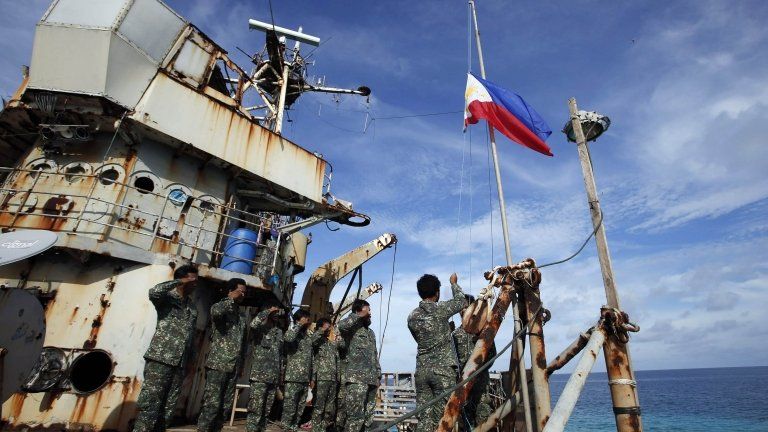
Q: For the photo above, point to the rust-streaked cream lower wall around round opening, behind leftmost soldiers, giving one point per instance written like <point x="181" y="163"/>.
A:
<point x="99" y="307"/>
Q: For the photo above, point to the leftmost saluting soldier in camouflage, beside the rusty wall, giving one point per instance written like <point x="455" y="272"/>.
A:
<point x="169" y="351"/>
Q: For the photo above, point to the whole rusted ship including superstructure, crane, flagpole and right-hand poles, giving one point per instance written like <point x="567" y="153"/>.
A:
<point x="139" y="143"/>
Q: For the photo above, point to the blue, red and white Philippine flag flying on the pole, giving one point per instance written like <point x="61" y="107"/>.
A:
<point x="507" y="112"/>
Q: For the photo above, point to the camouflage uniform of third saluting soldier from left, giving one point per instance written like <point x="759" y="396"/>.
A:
<point x="266" y="361"/>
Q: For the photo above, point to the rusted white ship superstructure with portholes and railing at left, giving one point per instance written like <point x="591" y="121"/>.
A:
<point x="131" y="139"/>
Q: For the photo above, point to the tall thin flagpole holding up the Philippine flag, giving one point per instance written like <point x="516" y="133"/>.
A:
<point x="516" y="359"/>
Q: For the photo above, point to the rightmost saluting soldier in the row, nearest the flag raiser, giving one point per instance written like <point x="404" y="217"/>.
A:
<point x="362" y="370"/>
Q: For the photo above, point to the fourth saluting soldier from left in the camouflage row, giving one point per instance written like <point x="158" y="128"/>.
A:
<point x="298" y="367"/>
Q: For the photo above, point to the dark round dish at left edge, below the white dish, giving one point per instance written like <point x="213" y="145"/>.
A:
<point x="22" y="332"/>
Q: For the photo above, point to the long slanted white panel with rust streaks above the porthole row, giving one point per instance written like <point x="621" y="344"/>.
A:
<point x="219" y="130"/>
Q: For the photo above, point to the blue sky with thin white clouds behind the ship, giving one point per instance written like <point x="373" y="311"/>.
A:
<point x="681" y="172"/>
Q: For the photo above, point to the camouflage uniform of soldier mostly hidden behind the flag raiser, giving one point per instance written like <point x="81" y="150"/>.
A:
<point x="478" y="406"/>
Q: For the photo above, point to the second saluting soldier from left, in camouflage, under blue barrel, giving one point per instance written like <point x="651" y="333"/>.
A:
<point x="224" y="358"/>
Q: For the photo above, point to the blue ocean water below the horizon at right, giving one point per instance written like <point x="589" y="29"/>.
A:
<point x="682" y="400"/>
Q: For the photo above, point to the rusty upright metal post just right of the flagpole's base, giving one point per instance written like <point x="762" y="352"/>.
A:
<point x="539" y="376"/>
